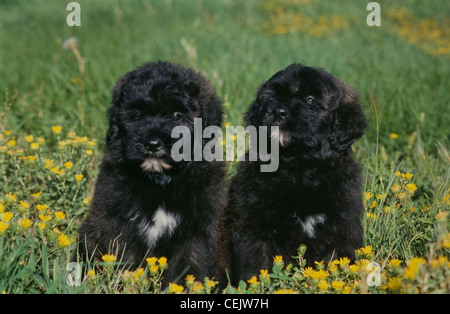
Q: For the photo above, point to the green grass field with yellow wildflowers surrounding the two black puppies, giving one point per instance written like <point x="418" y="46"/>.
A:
<point x="53" y="122"/>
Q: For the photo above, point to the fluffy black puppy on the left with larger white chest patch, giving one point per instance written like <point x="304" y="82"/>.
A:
<point x="138" y="177"/>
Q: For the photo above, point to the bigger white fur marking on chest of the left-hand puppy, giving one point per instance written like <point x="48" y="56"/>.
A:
<point x="152" y="228"/>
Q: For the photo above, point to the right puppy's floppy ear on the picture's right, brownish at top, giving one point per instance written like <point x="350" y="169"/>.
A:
<point x="348" y="121"/>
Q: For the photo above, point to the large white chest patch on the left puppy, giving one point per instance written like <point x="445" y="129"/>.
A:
<point x="162" y="223"/>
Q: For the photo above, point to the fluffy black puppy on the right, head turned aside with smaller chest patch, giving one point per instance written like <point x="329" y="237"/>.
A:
<point x="314" y="197"/>
